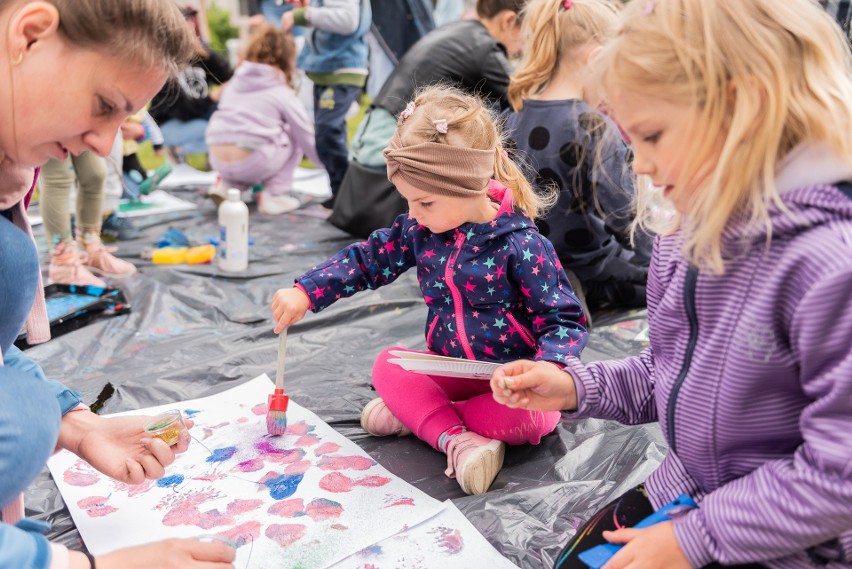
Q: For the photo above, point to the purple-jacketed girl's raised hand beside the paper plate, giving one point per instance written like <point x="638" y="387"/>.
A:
<point x="537" y="386"/>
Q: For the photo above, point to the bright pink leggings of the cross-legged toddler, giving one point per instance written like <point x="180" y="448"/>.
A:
<point x="429" y="405"/>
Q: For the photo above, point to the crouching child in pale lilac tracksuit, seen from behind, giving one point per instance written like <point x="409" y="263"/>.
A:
<point x="261" y="130"/>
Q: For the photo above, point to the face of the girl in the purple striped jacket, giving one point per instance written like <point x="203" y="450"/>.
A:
<point x="660" y="131"/>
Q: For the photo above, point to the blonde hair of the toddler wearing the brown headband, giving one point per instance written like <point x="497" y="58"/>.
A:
<point x="471" y="124"/>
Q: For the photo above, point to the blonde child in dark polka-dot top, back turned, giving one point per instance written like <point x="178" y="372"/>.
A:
<point x="575" y="147"/>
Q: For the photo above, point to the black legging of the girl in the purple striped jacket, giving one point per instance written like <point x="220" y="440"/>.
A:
<point x="627" y="510"/>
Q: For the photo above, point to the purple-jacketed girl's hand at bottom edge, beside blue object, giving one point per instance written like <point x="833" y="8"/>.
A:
<point x="654" y="547"/>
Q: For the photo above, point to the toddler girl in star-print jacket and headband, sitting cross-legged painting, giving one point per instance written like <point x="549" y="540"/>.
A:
<point x="493" y="286"/>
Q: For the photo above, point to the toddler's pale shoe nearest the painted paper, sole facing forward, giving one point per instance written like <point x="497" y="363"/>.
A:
<point x="474" y="461"/>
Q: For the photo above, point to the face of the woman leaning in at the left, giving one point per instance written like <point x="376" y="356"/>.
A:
<point x="69" y="100"/>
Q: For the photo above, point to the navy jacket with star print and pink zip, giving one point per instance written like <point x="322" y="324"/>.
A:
<point x="495" y="291"/>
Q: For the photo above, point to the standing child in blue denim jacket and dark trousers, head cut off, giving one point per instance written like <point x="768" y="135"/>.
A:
<point x="335" y="60"/>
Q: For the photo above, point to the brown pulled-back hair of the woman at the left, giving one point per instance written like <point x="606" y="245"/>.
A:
<point x="150" y="33"/>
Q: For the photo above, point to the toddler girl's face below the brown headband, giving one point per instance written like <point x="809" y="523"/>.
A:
<point x="444" y="213"/>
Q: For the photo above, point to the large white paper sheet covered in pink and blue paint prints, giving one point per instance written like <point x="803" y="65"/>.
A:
<point x="305" y="499"/>
